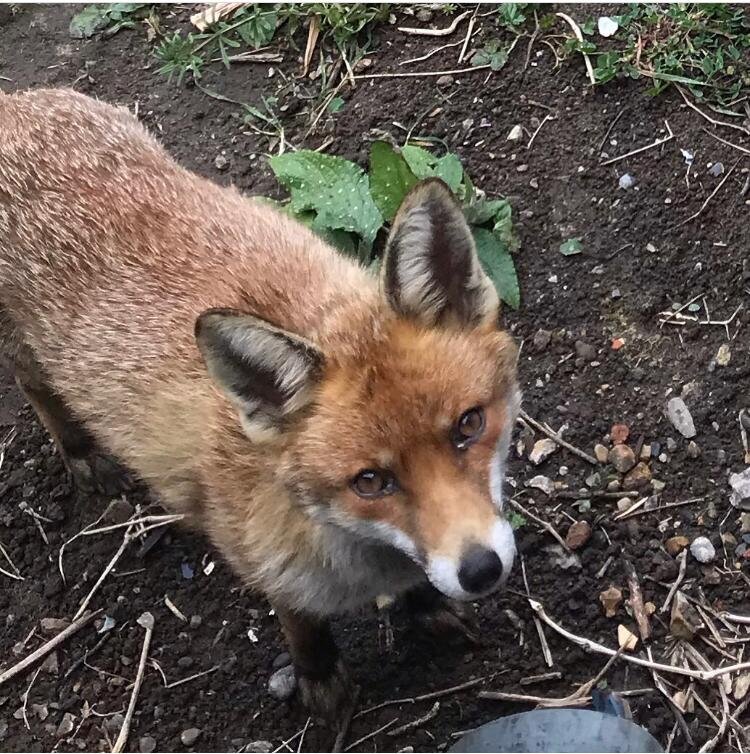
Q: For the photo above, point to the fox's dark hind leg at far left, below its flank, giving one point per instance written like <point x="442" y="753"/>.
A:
<point x="92" y="470"/>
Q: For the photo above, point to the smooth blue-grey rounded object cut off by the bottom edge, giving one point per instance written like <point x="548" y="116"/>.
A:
<point x="559" y="730"/>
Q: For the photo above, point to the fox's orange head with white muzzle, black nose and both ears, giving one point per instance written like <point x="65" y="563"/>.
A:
<point x="401" y="438"/>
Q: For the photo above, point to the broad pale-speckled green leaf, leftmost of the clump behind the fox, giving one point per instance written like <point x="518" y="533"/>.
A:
<point x="336" y="189"/>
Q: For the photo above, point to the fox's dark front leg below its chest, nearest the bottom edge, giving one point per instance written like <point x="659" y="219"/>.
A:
<point x="322" y="678"/>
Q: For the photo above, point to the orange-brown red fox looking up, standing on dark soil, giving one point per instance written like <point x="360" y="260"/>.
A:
<point x="338" y="436"/>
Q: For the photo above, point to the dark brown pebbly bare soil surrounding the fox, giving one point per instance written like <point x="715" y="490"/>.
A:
<point x="637" y="261"/>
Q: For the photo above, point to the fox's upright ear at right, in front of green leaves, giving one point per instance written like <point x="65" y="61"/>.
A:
<point x="431" y="270"/>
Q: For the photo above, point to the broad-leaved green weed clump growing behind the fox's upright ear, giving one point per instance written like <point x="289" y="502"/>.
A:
<point x="349" y="207"/>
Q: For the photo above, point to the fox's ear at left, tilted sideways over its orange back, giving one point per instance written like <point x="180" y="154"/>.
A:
<point x="268" y="374"/>
